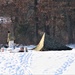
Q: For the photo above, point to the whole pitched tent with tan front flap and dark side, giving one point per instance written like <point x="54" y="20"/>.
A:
<point x="49" y="44"/>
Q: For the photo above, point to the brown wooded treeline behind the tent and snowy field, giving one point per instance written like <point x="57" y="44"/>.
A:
<point x="31" y="17"/>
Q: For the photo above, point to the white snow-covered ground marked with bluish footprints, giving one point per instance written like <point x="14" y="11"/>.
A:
<point x="38" y="63"/>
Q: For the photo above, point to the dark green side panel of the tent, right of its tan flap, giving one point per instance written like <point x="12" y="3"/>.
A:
<point x="53" y="44"/>
